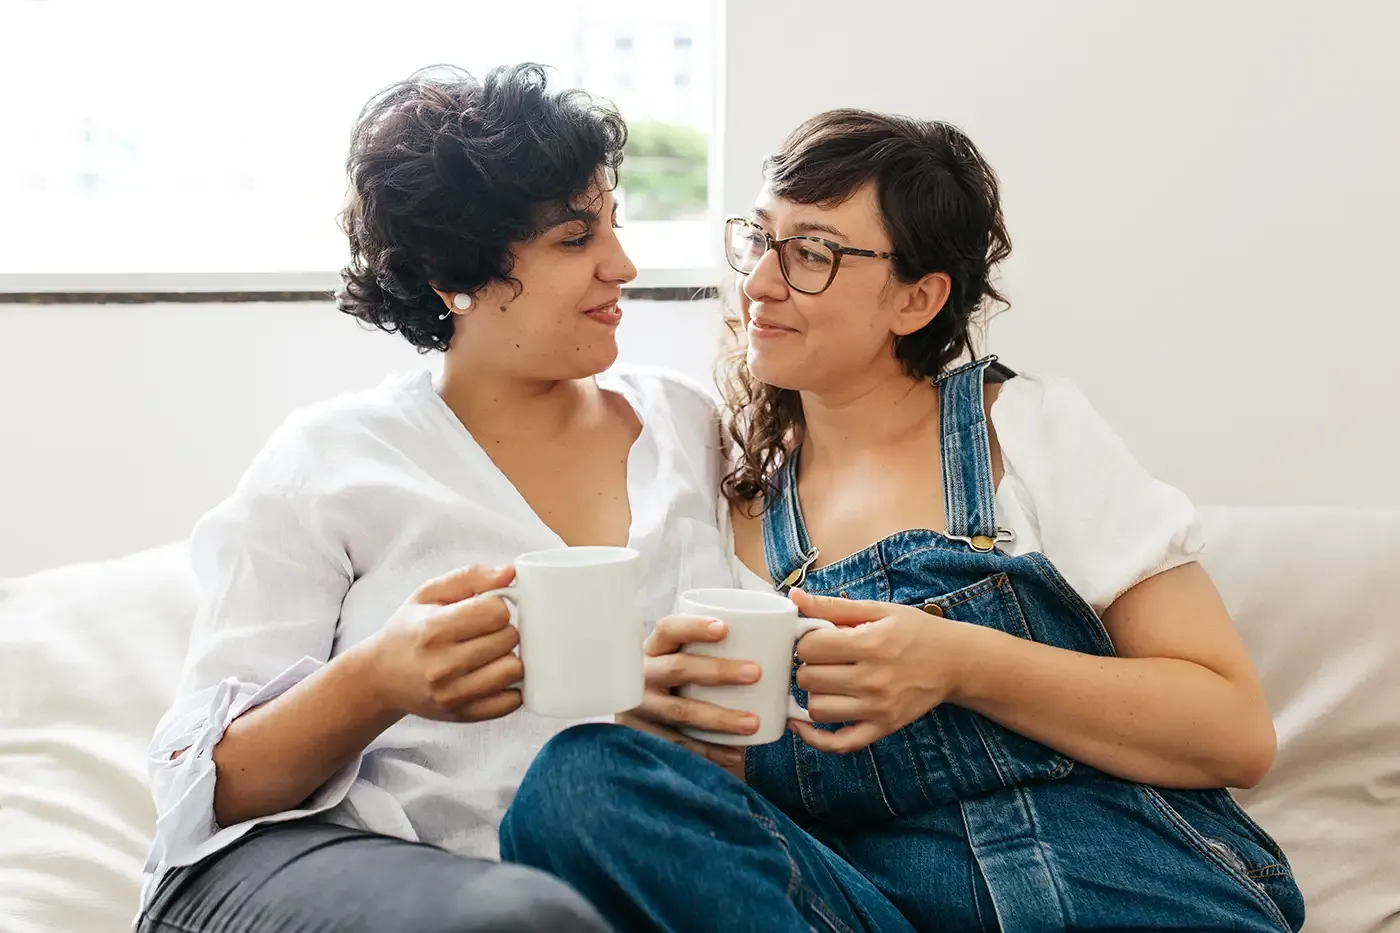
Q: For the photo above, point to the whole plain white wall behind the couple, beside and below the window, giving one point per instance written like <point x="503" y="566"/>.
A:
<point x="1202" y="194"/>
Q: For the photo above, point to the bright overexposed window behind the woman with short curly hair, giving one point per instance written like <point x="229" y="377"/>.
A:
<point x="208" y="141"/>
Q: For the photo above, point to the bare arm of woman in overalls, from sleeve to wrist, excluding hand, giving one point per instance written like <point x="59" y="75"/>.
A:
<point x="1181" y="707"/>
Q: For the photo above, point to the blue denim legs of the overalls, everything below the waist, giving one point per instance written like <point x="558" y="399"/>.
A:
<point x="661" y="840"/>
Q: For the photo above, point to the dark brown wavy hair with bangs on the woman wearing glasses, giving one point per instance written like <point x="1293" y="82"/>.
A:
<point x="941" y="207"/>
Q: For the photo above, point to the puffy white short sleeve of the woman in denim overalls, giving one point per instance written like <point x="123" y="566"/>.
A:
<point x="1102" y="520"/>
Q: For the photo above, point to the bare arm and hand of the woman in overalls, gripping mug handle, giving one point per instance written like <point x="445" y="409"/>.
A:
<point x="1181" y="707"/>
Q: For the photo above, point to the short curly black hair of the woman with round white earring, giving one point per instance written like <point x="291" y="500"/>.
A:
<point x="447" y="173"/>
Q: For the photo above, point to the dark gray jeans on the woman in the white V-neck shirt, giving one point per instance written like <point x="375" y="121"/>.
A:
<point x="313" y="878"/>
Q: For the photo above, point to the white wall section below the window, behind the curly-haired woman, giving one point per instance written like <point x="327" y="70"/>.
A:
<point x="121" y="425"/>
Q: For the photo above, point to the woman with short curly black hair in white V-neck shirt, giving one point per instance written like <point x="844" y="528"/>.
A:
<point x="348" y="732"/>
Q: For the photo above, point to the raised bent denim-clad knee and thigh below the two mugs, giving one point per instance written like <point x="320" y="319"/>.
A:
<point x="647" y="830"/>
